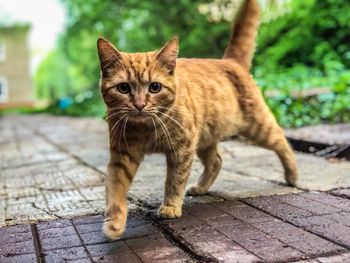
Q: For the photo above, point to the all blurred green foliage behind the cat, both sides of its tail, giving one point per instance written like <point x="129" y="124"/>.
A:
<point x="305" y="48"/>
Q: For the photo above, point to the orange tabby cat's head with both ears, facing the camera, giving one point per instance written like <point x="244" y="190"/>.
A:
<point x="138" y="84"/>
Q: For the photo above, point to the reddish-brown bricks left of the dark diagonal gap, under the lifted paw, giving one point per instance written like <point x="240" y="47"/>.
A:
<point x="81" y="240"/>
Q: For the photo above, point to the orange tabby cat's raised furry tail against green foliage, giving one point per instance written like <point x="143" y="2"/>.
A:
<point x="241" y="46"/>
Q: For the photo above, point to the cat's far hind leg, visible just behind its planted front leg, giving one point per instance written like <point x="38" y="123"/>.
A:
<point x="212" y="161"/>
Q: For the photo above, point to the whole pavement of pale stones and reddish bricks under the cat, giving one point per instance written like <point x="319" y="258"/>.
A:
<point x="52" y="168"/>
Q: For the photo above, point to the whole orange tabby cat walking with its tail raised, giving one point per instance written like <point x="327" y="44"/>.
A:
<point x="179" y="107"/>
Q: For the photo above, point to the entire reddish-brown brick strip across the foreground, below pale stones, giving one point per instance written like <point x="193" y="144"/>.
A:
<point x="263" y="229"/>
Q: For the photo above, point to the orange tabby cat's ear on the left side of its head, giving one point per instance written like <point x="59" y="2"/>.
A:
<point x="108" y="54"/>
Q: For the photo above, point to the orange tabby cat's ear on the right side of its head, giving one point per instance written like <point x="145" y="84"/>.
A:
<point x="168" y="54"/>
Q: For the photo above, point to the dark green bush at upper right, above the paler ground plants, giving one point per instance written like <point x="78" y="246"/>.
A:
<point x="315" y="33"/>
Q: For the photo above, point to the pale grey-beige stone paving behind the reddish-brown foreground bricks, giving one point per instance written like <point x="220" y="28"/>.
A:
<point x="71" y="188"/>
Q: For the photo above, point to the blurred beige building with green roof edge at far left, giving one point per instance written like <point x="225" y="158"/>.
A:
<point x="15" y="81"/>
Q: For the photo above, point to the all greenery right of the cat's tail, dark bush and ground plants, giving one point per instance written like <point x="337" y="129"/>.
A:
<point x="304" y="49"/>
